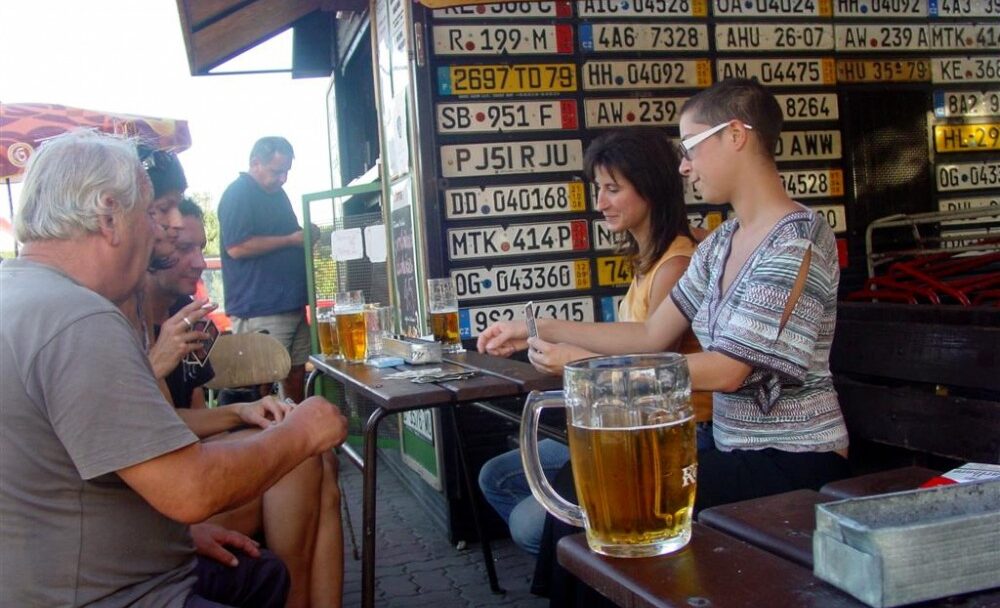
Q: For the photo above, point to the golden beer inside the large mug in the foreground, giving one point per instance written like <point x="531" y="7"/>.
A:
<point x="636" y="486"/>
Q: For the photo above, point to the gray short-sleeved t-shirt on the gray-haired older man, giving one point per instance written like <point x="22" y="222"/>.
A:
<point x="78" y="403"/>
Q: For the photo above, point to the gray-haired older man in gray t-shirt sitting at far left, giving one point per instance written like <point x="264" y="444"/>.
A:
<point x="99" y="478"/>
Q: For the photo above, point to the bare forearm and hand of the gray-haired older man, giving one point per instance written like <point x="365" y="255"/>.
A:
<point x="197" y="481"/>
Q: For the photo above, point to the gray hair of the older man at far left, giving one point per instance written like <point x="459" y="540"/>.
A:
<point x="69" y="181"/>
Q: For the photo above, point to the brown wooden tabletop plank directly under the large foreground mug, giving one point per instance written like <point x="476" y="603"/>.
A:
<point x="714" y="570"/>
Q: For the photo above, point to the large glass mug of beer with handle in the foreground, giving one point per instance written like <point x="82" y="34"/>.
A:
<point x="632" y="447"/>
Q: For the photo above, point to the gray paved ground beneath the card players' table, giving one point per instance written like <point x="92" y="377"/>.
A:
<point x="417" y="566"/>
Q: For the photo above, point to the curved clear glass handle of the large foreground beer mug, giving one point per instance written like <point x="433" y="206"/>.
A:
<point x="543" y="492"/>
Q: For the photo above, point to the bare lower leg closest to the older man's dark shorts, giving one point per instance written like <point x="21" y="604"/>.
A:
<point x="291" y="516"/>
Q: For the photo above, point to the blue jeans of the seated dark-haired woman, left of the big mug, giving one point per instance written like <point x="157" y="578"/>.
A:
<point x="505" y="487"/>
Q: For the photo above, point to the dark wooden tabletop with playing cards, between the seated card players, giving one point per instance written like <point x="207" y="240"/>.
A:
<point x="497" y="377"/>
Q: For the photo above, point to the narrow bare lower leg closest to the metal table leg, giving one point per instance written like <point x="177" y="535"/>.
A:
<point x="328" y="560"/>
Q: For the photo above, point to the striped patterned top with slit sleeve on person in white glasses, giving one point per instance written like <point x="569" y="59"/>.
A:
<point x="788" y="401"/>
